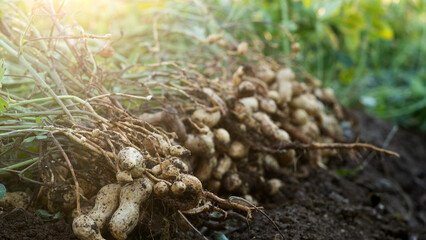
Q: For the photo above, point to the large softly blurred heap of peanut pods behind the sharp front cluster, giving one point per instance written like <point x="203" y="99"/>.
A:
<point x="266" y="108"/>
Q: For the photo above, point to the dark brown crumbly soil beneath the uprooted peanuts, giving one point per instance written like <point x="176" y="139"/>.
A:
<point x="384" y="200"/>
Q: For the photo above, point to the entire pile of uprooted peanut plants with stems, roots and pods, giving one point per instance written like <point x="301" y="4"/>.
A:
<point x="154" y="143"/>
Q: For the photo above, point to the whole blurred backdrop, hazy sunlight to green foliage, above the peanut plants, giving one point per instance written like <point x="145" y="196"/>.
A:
<point x="371" y="52"/>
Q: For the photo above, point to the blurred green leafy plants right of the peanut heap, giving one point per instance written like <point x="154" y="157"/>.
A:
<point x="370" y="51"/>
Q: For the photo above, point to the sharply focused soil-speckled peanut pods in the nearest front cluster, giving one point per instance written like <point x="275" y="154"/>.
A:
<point x="118" y="205"/>
